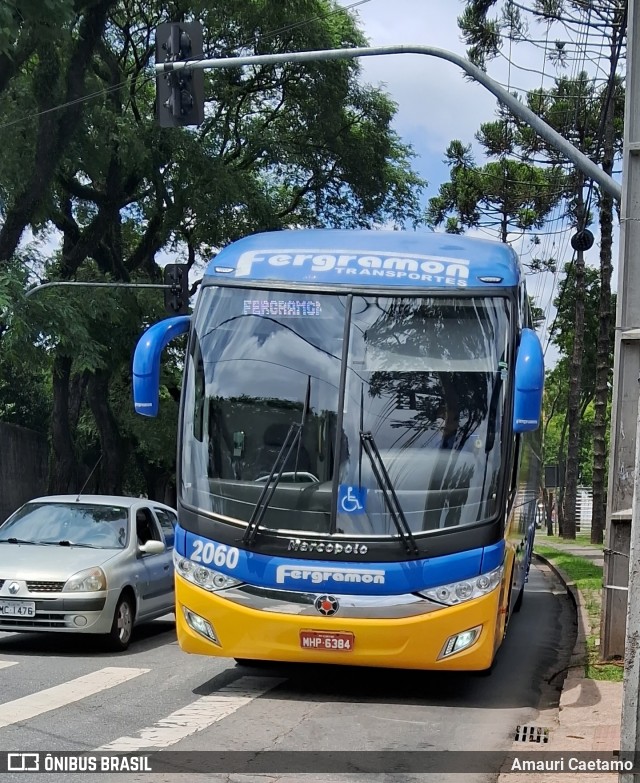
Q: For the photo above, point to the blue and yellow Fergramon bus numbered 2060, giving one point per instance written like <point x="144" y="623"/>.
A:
<point x="358" y="455"/>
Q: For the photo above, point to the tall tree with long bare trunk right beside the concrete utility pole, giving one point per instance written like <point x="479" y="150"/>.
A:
<point x="485" y="26"/>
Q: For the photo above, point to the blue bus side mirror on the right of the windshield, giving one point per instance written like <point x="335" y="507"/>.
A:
<point x="529" y="383"/>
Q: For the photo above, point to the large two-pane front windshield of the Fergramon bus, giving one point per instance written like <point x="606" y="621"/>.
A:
<point x="425" y="379"/>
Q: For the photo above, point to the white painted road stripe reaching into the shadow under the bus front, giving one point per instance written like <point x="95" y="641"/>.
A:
<point x="196" y="716"/>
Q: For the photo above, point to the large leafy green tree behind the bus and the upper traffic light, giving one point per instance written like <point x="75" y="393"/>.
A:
<point x="281" y="147"/>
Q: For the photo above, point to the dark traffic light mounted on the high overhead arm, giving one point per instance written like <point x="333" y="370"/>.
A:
<point x="179" y="94"/>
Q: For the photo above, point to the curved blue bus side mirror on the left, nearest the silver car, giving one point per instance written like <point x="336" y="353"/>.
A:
<point x="146" y="362"/>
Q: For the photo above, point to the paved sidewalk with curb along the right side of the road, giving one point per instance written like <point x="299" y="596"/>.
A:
<point x="589" y="716"/>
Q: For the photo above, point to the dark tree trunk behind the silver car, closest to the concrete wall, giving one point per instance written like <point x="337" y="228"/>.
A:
<point x="63" y="466"/>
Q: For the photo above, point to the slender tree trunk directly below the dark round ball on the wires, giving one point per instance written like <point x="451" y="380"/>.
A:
<point x="573" y="406"/>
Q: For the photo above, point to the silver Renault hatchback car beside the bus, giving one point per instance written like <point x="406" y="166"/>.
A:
<point x="97" y="564"/>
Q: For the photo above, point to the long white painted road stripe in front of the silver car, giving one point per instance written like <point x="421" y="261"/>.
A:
<point x="60" y="695"/>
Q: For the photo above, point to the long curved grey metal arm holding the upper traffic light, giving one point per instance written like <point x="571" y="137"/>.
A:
<point x="585" y="164"/>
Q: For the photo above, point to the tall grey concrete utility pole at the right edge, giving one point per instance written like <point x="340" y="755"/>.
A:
<point x="623" y="523"/>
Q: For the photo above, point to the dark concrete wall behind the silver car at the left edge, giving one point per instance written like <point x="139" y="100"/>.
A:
<point x="23" y="467"/>
